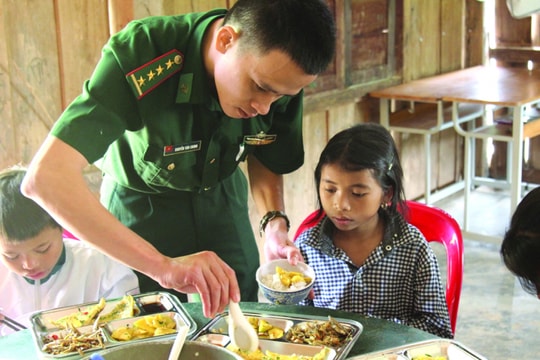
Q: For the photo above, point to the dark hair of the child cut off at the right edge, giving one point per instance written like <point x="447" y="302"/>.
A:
<point x="520" y="248"/>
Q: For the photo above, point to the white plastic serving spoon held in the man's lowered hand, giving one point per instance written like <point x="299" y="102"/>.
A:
<point x="242" y="334"/>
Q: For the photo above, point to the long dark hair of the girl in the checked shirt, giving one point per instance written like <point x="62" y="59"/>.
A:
<point x="367" y="146"/>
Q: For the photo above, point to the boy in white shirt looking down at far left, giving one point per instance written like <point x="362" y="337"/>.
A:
<point x="39" y="268"/>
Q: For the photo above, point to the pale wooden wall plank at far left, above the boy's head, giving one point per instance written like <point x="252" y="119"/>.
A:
<point x="33" y="72"/>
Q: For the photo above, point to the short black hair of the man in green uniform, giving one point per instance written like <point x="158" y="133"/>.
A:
<point x="303" y="29"/>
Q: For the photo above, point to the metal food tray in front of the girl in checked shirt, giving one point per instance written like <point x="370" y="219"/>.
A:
<point x="215" y="332"/>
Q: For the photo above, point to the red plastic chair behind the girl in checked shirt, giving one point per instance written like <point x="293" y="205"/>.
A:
<point x="436" y="225"/>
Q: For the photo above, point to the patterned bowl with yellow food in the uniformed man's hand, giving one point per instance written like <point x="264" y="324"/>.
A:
<point x="283" y="283"/>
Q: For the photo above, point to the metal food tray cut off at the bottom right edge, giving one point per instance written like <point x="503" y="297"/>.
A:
<point x="450" y="349"/>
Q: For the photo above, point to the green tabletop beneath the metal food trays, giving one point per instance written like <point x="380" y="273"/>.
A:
<point x="377" y="334"/>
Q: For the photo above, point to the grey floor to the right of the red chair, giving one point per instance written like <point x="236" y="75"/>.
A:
<point x="496" y="317"/>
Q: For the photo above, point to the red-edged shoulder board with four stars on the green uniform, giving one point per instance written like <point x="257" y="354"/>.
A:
<point x="147" y="77"/>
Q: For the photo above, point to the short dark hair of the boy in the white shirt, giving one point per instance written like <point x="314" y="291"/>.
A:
<point x="20" y="217"/>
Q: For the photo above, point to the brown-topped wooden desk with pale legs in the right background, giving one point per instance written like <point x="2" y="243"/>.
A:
<point x="514" y="88"/>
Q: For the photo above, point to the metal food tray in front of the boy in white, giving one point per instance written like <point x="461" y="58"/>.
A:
<point x="148" y="304"/>
